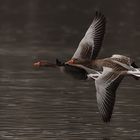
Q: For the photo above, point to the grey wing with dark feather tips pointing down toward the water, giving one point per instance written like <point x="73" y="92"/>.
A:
<point x="106" y="86"/>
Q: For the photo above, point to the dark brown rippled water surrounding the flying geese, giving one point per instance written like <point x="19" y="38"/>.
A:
<point x="46" y="104"/>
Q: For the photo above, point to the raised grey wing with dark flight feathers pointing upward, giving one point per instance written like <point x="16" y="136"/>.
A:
<point x="90" y="45"/>
